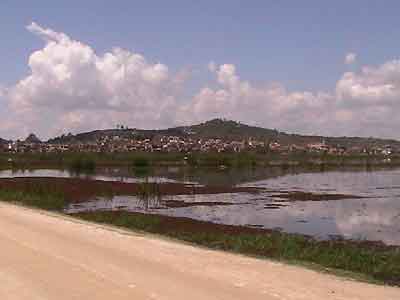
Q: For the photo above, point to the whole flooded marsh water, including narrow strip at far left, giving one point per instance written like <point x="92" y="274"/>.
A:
<point x="361" y="205"/>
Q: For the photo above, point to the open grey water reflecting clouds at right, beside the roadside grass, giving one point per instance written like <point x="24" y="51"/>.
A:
<point x="374" y="218"/>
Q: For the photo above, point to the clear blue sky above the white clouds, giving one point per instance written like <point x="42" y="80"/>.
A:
<point x="298" y="44"/>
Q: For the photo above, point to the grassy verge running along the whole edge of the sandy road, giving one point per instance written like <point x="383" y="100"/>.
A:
<point x="367" y="261"/>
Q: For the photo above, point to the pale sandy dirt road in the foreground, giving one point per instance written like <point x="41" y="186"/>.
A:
<point x="49" y="257"/>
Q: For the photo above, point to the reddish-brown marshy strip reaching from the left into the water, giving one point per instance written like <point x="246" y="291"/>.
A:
<point x="80" y="190"/>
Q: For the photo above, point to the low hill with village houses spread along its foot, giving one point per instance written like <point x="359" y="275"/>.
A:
<point x="219" y="136"/>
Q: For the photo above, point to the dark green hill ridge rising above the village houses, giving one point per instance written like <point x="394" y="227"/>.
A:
<point x="229" y="130"/>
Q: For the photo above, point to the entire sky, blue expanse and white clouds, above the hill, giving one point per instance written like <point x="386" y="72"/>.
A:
<point x="310" y="67"/>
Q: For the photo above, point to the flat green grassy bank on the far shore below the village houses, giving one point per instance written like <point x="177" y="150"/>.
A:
<point x="88" y="161"/>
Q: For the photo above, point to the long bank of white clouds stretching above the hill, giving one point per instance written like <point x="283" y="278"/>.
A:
<point x="72" y="88"/>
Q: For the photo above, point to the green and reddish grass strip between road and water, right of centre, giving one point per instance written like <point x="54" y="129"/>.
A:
<point x="375" y="261"/>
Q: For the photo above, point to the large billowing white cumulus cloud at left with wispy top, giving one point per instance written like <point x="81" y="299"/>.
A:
<point x="74" y="87"/>
